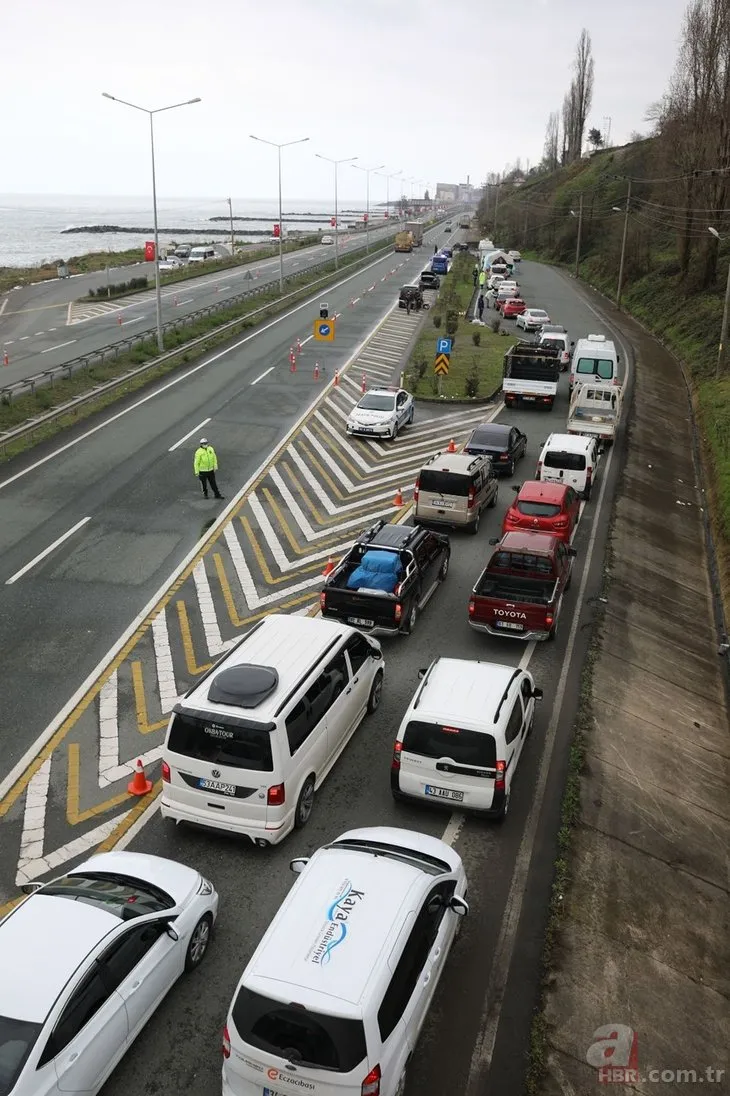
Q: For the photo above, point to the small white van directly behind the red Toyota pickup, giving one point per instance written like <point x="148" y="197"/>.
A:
<point x="461" y="740"/>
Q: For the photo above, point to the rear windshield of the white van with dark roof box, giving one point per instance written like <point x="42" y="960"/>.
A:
<point x="241" y="746"/>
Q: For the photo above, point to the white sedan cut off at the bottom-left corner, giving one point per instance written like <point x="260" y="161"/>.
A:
<point x="87" y="960"/>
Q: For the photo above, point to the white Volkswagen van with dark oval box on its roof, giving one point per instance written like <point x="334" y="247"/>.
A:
<point x="250" y="744"/>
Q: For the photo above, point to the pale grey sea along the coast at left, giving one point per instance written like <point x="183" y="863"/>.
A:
<point x="32" y="225"/>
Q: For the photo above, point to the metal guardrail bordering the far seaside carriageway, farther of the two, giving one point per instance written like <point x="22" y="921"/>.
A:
<point x="102" y="355"/>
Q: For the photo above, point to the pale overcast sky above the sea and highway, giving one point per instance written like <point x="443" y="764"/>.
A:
<point x="442" y="90"/>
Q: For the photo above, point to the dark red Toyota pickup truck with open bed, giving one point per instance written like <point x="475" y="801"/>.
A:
<point x="520" y="592"/>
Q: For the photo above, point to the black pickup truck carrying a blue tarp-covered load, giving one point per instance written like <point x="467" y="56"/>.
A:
<point x="386" y="578"/>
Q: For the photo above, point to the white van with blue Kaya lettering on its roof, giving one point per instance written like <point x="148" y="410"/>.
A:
<point x="334" y="999"/>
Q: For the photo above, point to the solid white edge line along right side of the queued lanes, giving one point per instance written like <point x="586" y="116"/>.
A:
<point x="493" y="1006"/>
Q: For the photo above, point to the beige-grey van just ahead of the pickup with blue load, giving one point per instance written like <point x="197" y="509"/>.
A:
<point x="453" y="489"/>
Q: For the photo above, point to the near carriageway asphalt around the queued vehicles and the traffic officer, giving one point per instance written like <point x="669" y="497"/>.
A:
<point x="75" y="604"/>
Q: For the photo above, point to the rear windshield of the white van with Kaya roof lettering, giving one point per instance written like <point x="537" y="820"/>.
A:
<point x="299" y="1035"/>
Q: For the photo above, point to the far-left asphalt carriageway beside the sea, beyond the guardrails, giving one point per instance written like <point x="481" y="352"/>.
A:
<point x="45" y="325"/>
